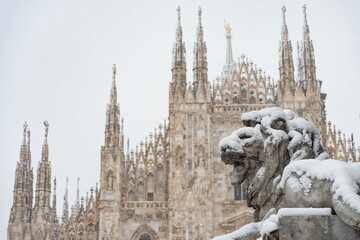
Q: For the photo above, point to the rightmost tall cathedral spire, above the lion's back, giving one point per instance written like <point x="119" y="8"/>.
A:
<point x="306" y="57"/>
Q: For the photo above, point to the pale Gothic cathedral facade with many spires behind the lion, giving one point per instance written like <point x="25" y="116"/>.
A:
<point x="174" y="185"/>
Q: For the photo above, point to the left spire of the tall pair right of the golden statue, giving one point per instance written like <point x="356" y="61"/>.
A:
<point x="286" y="64"/>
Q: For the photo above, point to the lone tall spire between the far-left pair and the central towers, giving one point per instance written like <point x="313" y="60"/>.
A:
<point x="112" y="125"/>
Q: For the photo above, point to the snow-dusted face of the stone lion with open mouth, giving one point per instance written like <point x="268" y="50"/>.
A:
<point x="242" y="149"/>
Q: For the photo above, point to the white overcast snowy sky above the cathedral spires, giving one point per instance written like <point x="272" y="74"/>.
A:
<point x="56" y="59"/>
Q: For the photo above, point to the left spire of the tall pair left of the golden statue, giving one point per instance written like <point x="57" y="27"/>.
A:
<point x="178" y="61"/>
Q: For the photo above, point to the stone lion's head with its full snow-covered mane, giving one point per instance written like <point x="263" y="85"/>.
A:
<point x="259" y="152"/>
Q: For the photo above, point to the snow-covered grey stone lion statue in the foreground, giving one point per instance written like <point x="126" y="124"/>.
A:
<point x="280" y="160"/>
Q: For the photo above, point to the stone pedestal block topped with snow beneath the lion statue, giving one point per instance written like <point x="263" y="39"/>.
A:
<point x="313" y="223"/>
